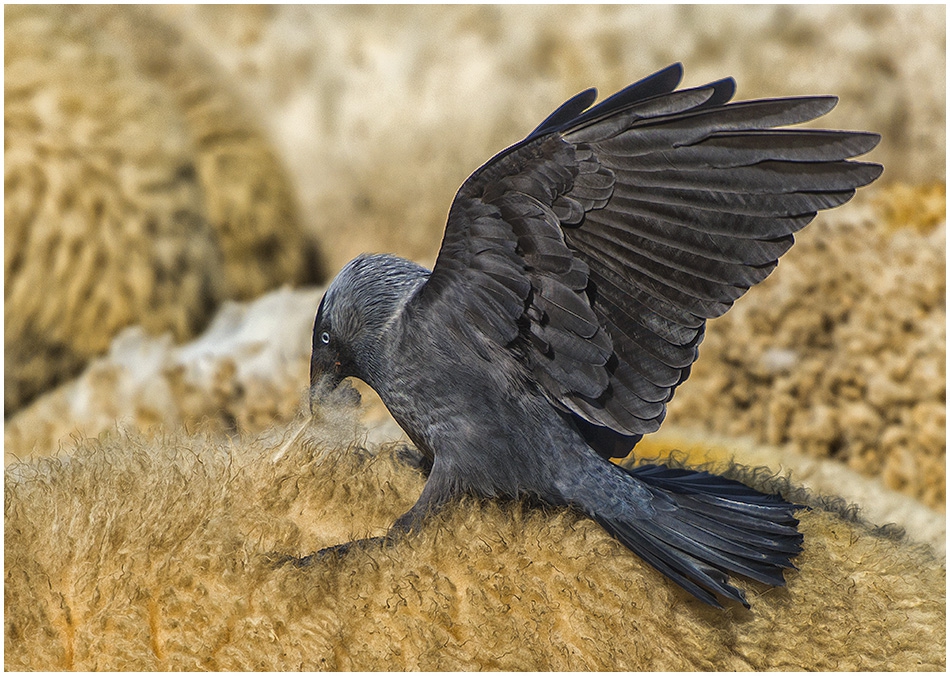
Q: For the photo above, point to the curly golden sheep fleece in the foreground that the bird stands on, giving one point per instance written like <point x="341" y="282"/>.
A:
<point x="134" y="554"/>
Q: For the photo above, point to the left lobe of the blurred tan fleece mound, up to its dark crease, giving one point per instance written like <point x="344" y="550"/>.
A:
<point x="103" y="216"/>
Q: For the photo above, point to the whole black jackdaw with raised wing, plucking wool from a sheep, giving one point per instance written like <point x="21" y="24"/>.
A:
<point x="567" y="303"/>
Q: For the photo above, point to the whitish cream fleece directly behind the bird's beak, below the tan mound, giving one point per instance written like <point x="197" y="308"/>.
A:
<point x="244" y="374"/>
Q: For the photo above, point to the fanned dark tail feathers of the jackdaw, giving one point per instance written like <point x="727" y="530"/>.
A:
<point x="698" y="528"/>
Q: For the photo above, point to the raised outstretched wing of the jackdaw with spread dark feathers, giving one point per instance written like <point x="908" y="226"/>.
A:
<point x="597" y="248"/>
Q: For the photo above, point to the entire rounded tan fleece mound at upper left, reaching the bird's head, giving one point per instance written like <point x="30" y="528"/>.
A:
<point x="136" y="190"/>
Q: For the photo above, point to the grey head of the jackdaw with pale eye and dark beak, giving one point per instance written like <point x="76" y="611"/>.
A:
<point x="358" y="308"/>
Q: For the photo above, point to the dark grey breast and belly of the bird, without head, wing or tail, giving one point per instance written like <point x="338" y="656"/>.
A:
<point x="486" y="426"/>
